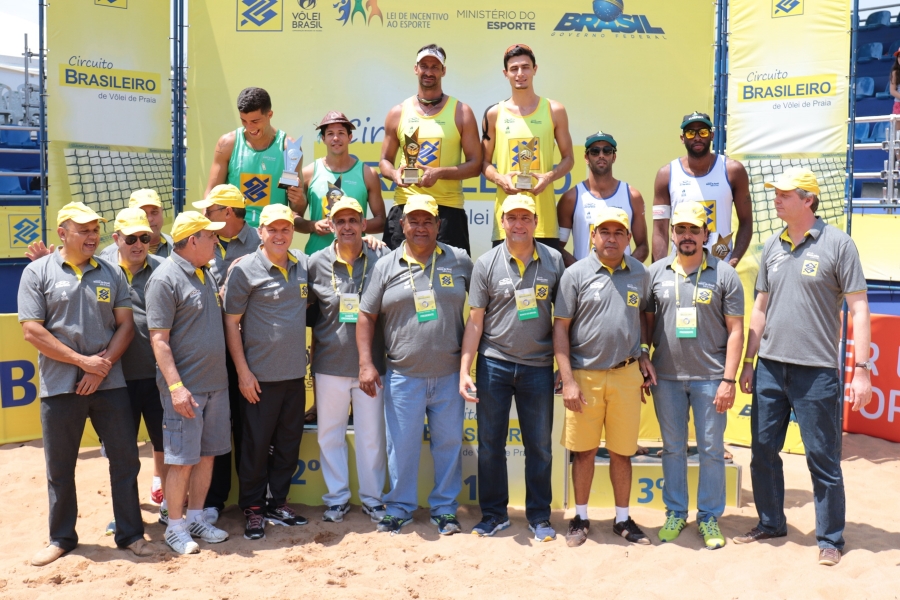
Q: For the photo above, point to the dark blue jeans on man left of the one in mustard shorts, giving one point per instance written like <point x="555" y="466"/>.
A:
<point x="497" y="382"/>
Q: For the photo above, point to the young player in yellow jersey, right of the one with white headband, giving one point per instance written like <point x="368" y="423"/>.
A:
<point x="515" y="121"/>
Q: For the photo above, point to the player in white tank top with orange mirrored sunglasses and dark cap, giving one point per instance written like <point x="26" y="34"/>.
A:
<point x="716" y="182"/>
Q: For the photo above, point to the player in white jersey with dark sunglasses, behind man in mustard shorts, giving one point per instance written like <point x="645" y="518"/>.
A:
<point x="578" y="207"/>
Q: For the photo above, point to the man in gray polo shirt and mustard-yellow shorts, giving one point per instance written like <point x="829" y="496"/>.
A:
<point x="597" y="339"/>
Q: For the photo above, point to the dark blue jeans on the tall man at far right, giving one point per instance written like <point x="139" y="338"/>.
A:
<point x="814" y="394"/>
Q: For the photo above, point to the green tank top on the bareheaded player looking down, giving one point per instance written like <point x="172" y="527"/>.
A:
<point x="256" y="174"/>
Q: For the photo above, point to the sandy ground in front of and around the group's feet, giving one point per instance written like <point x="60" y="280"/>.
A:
<point x="351" y="560"/>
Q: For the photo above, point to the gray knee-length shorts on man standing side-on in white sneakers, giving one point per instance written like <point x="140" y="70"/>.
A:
<point x="207" y="434"/>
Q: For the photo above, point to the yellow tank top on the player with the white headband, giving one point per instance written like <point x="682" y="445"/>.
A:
<point x="439" y="146"/>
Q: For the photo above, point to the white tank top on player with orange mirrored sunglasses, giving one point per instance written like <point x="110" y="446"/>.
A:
<point x="713" y="191"/>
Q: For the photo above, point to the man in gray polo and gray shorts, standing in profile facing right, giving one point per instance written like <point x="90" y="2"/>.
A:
<point x="185" y="321"/>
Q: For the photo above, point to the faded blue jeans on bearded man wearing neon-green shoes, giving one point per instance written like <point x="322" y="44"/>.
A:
<point x="672" y="400"/>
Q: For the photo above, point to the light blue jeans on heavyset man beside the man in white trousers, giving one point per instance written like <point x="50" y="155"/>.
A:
<point x="407" y="401"/>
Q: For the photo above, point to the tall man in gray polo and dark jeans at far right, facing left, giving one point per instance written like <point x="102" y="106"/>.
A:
<point x="805" y="274"/>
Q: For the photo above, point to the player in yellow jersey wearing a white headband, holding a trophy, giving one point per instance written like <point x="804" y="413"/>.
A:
<point x="447" y="131"/>
